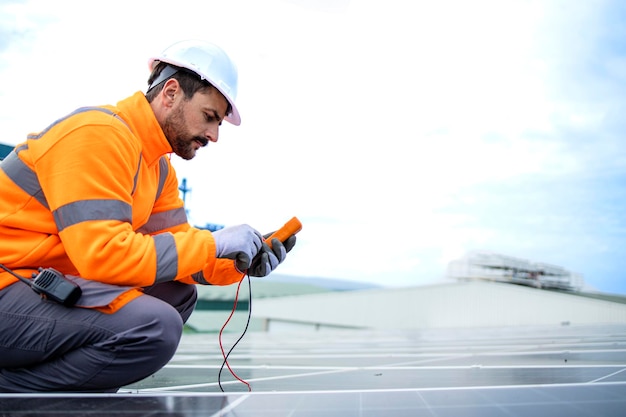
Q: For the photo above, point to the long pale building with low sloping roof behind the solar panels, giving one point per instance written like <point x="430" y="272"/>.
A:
<point x="451" y="305"/>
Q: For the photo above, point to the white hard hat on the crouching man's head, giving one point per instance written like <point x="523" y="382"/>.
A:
<point x="210" y="62"/>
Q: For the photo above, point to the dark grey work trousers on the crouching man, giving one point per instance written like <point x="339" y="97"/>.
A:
<point x="45" y="346"/>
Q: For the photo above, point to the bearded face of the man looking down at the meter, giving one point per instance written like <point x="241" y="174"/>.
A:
<point x="194" y="123"/>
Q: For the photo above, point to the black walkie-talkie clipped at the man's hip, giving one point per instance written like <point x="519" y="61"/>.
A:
<point x="52" y="285"/>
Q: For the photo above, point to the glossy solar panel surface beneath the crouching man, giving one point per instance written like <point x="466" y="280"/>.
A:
<point x="552" y="371"/>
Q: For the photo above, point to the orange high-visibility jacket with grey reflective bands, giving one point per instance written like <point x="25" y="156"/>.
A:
<point x="95" y="195"/>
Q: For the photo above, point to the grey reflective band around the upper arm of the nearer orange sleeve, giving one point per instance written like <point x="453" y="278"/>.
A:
<point x="86" y="210"/>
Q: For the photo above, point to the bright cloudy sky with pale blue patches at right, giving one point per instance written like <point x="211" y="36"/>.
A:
<point x="403" y="134"/>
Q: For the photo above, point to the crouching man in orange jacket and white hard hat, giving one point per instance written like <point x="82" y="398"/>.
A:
<point x="95" y="197"/>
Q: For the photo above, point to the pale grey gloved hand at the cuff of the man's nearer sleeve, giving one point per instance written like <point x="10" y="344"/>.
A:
<point x="239" y="243"/>
